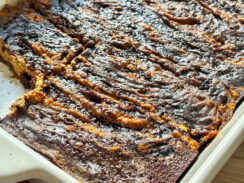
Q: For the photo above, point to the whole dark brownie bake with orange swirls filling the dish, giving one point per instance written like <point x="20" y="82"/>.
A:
<point x="123" y="90"/>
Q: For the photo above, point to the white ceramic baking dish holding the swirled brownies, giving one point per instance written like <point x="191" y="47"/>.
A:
<point x="19" y="162"/>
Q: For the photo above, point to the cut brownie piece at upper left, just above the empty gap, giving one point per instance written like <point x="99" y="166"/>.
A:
<point x="33" y="45"/>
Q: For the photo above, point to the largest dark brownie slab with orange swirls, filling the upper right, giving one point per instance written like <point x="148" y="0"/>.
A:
<point x="142" y="45"/>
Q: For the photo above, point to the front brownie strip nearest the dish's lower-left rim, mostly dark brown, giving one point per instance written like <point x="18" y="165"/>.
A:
<point x="99" y="152"/>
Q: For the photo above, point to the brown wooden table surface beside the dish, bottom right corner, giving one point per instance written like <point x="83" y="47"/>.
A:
<point x="233" y="171"/>
